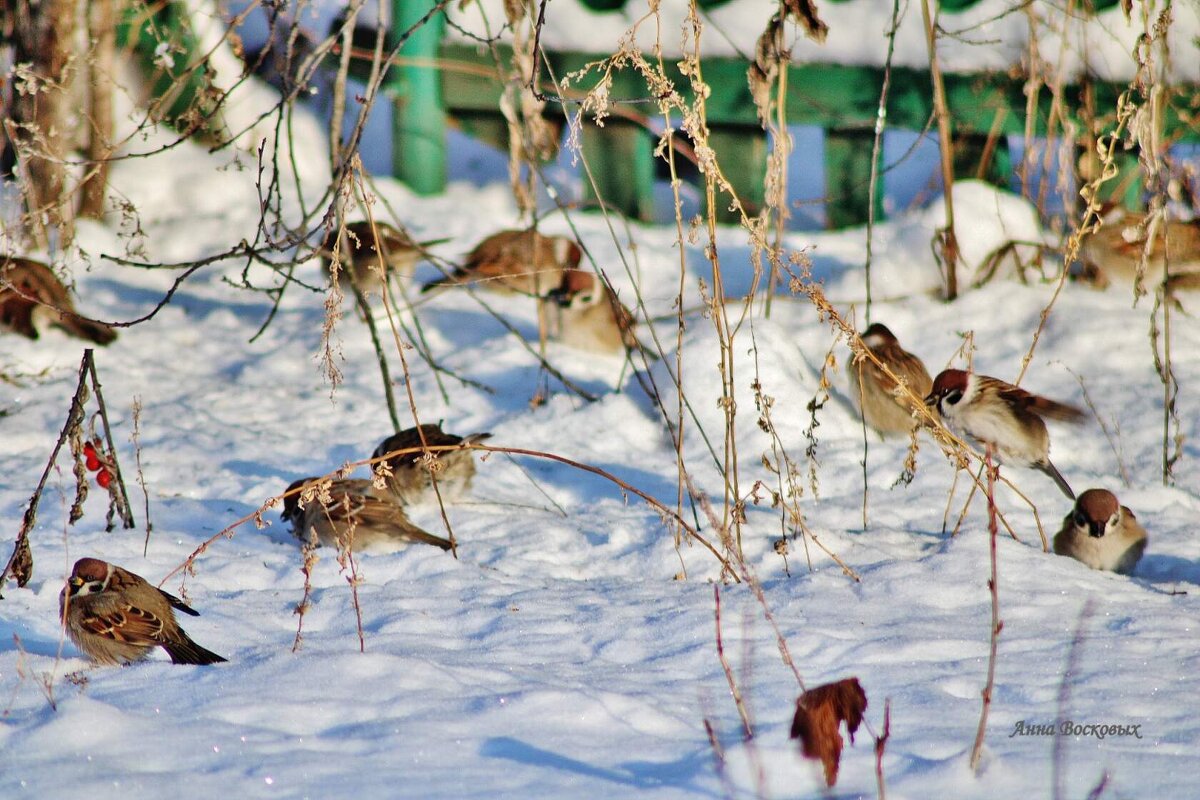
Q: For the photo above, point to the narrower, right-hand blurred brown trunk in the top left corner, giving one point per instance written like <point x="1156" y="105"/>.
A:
<point x="103" y="22"/>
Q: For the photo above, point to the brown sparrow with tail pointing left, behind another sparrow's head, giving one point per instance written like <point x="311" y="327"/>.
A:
<point x="517" y="262"/>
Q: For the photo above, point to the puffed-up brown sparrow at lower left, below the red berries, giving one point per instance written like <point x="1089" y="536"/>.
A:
<point x="117" y="618"/>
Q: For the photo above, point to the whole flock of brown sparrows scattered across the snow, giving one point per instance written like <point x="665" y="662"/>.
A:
<point x="117" y="618"/>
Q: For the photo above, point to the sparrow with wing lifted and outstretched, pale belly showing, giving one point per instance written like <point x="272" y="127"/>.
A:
<point x="1004" y="418"/>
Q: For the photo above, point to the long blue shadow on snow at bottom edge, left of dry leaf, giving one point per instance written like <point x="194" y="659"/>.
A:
<point x="638" y="775"/>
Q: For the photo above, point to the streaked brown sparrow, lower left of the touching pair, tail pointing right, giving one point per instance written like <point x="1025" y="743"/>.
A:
<point x="357" y="518"/>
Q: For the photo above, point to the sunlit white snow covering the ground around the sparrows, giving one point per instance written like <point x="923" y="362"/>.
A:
<point x="559" y="657"/>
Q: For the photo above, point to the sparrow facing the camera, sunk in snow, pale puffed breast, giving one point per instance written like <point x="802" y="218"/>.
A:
<point x="1102" y="533"/>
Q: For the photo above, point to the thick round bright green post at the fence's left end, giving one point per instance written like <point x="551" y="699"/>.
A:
<point x="419" y="118"/>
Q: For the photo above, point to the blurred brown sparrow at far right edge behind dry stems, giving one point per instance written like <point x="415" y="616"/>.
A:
<point x="1113" y="254"/>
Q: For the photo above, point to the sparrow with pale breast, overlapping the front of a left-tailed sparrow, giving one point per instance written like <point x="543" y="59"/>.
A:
<point x="586" y="315"/>
